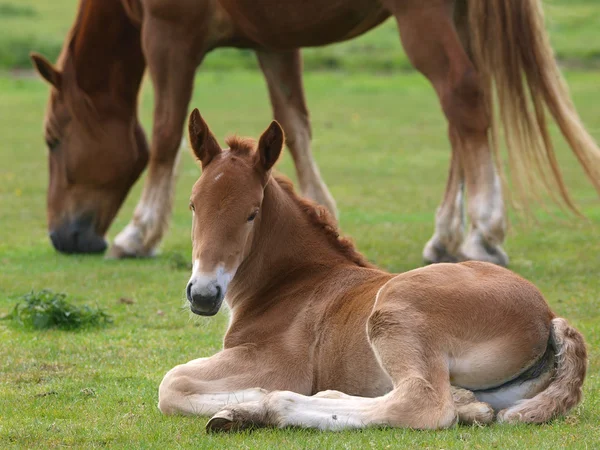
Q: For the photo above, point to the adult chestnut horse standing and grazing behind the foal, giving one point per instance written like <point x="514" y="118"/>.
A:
<point x="470" y="50"/>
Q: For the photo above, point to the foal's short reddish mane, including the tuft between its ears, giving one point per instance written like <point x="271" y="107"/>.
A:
<point x="318" y="215"/>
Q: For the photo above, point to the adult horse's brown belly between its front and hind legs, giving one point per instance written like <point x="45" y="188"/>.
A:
<point x="291" y="24"/>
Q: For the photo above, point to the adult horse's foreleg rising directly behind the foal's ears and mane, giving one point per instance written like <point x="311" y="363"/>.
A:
<point x="283" y="73"/>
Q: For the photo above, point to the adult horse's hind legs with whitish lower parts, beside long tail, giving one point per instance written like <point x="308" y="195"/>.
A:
<point x="431" y="41"/>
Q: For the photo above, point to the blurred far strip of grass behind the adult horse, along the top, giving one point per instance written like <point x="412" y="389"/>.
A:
<point x="41" y="25"/>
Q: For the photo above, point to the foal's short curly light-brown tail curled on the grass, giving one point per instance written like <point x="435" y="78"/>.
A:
<point x="564" y="391"/>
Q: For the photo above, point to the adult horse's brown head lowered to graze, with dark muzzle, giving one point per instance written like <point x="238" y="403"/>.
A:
<point x="96" y="151"/>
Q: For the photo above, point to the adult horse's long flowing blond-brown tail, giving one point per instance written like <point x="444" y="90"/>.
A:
<point x="511" y="50"/>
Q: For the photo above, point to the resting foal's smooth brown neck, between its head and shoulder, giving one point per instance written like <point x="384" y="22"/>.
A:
<point x="286" y="248"/>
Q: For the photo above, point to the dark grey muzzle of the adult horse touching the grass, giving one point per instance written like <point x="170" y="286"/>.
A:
<point x="77" y="236"/>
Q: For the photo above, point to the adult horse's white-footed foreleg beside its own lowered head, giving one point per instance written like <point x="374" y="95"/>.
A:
<point x="172" y="60"/>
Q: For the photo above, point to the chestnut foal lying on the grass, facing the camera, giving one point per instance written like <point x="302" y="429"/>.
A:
<point x="320" y="338"/>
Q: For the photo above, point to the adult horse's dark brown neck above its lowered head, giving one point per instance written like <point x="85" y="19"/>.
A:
<point x="106" y="52"/>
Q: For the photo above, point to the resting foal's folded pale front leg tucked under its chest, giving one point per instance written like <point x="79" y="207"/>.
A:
<point x="206" y="385"/>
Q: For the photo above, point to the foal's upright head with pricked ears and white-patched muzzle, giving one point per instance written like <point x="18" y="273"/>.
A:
<point x="226" y="207"/>
